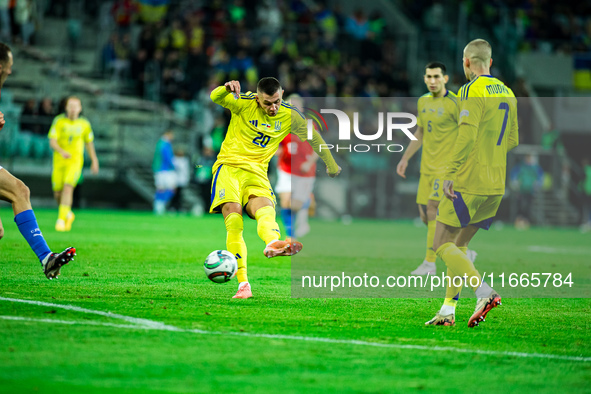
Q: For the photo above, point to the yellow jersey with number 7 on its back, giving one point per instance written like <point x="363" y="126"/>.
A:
<point x="479" y="161"/>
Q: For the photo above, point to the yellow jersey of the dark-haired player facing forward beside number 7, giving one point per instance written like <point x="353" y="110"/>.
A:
<point x="438" y="116"/>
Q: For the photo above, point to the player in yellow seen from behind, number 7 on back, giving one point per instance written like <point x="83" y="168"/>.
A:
<point x="474" y="181"/>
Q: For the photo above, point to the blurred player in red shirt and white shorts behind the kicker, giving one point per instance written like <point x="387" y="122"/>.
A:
<point x="295" y="181"/>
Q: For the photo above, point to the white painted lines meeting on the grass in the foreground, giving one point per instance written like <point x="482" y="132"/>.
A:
<point x="145" y="324"/>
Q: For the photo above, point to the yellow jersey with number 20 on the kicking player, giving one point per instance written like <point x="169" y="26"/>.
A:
<point x="253" y="137"/>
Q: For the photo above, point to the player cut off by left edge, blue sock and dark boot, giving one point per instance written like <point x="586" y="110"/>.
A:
<point x="14" y="191"/>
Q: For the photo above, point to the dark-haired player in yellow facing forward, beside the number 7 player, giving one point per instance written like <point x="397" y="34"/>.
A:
<point x="437" y="123"/>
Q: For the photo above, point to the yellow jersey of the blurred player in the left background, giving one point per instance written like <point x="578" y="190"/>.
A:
<point x="71" y="135"/>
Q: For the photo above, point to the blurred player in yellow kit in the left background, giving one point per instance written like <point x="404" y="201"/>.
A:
<point x="67" y="137"/>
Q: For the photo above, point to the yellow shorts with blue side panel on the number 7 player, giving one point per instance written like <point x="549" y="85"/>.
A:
<point x="468" y="209"/>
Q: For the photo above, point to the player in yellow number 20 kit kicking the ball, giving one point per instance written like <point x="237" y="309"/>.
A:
<point x="259" y="122"/>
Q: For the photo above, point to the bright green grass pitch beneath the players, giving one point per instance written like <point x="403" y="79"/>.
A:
<point x="140" y="266"/>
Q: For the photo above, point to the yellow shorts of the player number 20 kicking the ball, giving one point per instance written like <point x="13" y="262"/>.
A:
<point x="231" y="184"/>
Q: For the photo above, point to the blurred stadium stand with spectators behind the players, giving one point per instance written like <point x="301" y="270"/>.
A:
<point x="140" y="68"/>
